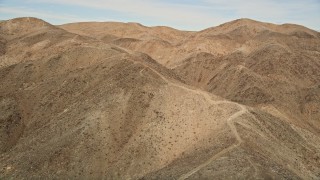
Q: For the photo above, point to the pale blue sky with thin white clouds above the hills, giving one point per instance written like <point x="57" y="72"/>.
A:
<point x="180" y="14"/>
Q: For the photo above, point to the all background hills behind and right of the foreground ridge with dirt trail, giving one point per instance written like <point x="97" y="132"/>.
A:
<point x="246" y="61"/>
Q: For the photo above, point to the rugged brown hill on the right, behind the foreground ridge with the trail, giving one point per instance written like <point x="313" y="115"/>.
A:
<point x="266" y="65"/>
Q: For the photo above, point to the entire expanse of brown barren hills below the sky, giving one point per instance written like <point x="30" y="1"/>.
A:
<point x="125" y="101"/>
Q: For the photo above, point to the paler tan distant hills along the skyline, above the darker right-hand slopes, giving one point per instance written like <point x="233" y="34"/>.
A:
<point x="243" y="35"/>
